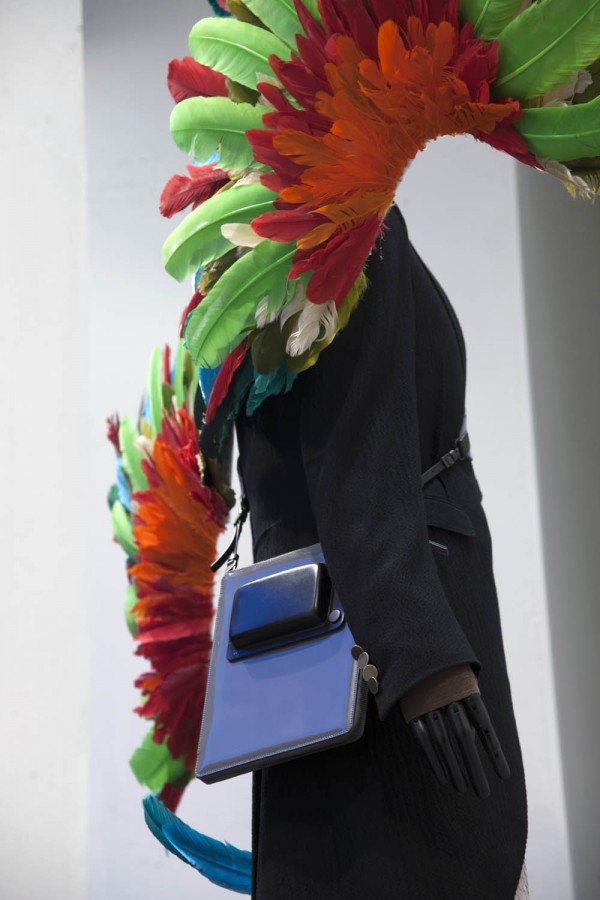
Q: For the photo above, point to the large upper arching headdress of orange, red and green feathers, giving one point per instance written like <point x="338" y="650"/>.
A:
<point x="310" y="112"/>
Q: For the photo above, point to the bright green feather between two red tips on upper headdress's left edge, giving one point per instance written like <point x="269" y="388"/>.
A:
<point x="202" y="125"/>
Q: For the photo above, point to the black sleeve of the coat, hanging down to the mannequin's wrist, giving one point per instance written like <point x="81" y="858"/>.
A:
<point x="361" y="451"/>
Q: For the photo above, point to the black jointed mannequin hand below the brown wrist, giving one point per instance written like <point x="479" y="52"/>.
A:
<point x="451" y="738"/>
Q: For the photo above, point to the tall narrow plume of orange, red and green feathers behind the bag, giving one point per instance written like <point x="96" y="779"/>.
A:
<point x="167" y="519"/>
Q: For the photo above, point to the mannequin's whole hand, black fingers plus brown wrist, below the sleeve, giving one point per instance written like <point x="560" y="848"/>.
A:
<point x="448" y="730"/>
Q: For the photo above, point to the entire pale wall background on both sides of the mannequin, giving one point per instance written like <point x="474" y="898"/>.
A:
<point x="77" y="329"/>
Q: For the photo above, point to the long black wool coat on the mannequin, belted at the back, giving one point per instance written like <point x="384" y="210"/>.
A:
<point x="338" y="460"/>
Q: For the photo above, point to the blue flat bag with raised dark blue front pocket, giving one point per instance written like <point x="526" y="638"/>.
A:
<point x="282" y="680"/>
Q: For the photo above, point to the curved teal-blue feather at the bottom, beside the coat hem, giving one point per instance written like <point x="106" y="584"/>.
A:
<point x="221" y="863"/>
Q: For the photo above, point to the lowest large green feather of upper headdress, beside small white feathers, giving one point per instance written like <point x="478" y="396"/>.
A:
<point x="218" y="325"/>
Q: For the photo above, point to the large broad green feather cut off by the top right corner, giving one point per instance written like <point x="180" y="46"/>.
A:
<point x="545" y="45"/>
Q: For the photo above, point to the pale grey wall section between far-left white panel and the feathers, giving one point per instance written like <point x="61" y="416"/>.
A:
<point x="134" y="306"/>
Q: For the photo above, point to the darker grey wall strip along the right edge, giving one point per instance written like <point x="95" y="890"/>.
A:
<point x="561" y="264"/>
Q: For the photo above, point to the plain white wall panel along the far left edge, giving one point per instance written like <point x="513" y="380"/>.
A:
<point x="44" y="454"/>
